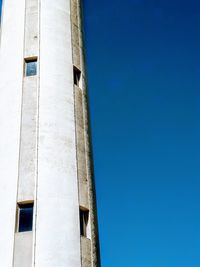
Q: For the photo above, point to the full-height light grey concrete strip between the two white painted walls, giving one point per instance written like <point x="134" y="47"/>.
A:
<point x="23" y="243"/>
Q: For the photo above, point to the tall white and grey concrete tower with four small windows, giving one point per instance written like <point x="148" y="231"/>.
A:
<point x="47" y="198"/>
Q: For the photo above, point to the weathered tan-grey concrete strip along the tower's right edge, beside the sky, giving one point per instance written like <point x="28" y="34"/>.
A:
<point x="90" y="245"/>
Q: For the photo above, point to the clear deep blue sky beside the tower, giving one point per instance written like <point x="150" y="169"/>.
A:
<point x="143" y="60"/>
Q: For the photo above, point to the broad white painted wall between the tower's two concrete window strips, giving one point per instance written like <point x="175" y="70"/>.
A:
<point x="57" y="232"/>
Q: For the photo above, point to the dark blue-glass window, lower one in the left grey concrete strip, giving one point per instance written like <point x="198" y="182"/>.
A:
<point x="25" y="217"/>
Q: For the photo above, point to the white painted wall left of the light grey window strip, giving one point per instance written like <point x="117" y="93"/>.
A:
<point x="11" y="74"/>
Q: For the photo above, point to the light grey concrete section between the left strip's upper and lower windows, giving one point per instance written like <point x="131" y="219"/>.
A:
<point x="27" y="163"/>
